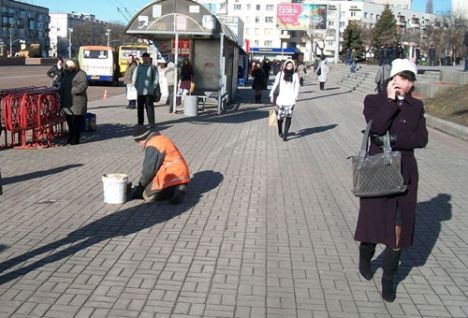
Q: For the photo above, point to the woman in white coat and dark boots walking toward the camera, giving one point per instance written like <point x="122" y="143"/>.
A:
<point x="288" y="83"/>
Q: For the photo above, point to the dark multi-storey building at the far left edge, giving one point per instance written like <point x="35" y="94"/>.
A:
<point x="23" y="24"/>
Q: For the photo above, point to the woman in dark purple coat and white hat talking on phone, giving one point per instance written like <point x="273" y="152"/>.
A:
<point x="390" y="220"/>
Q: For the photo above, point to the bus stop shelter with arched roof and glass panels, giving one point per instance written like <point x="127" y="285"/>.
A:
<point x="213" y="46"/>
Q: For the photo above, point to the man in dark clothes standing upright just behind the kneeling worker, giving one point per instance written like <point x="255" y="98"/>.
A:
<point x="146" y="80"/>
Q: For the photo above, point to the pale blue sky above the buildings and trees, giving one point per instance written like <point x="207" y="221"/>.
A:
<point x="107" y="10"/>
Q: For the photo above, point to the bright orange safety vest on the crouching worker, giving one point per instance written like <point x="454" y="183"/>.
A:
<point x="174" y="169"/>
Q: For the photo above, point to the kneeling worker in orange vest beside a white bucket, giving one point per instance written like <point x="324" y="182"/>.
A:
<point x="165" y="173"/>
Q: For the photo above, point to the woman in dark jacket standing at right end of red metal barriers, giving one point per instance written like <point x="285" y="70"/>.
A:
<point x="74" y="99"/>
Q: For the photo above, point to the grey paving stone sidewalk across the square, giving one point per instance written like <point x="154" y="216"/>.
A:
<point x="265" y="231"/>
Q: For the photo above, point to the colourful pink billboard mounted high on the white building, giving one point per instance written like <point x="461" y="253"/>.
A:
<point x="301" y="16"/>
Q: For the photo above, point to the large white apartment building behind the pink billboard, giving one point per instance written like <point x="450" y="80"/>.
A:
<point x="262" y="34"/>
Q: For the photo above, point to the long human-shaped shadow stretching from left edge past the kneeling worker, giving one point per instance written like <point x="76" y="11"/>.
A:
<point x="121" y="223"/>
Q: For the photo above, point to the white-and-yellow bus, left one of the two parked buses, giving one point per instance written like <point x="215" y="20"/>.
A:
<point x="99" y="63"/>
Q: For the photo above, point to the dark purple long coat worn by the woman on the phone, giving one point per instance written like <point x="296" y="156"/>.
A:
<point x="405" y="119"/>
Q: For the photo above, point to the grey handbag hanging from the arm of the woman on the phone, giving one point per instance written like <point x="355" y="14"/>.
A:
<point x="377" y="175"/>
